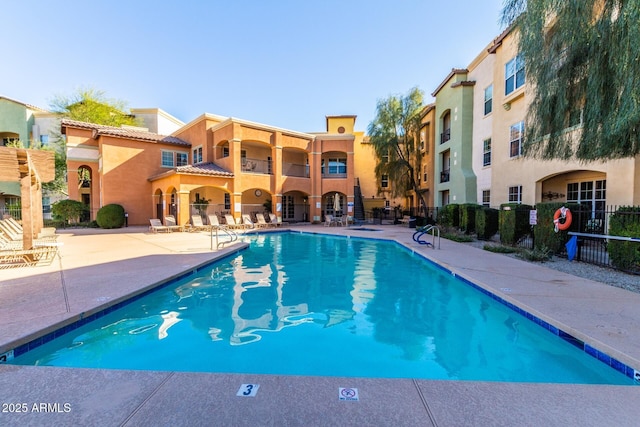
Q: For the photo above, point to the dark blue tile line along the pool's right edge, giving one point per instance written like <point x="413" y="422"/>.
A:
<point x="590" y="350"/>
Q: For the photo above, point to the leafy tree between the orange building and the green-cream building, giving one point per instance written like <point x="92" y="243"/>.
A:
<point x="393" y="133"/>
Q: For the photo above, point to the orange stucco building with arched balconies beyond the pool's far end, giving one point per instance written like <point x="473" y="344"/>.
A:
<point x="216" y="164"/>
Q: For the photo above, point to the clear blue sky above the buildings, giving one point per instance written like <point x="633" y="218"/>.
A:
<point x="283" y="63"/>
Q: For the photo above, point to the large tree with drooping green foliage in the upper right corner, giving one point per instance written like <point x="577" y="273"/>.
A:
<point x="582" y="61"/>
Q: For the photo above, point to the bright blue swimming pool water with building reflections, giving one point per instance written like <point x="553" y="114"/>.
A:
<point x="318" y="305"/>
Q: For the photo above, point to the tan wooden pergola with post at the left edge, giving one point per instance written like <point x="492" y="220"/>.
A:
<point x="30" y="168"/>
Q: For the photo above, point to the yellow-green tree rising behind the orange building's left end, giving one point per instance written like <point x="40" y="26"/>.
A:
<point x="86" y="105"/>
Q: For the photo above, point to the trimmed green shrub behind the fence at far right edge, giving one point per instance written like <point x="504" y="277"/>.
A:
<point x="625" y="222"/>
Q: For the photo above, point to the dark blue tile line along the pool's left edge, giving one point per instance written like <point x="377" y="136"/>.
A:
<point x="24" y="348"/>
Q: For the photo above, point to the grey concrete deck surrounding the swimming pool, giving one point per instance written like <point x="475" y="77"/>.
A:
<point x="100" y="267"/>
